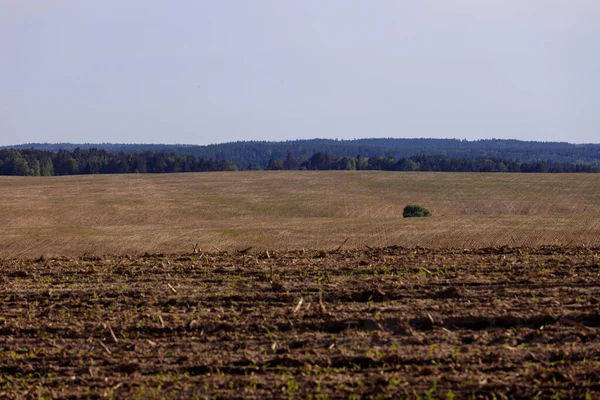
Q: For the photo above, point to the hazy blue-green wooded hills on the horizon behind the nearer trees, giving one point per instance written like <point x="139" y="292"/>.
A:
<point x="256" y="154"/>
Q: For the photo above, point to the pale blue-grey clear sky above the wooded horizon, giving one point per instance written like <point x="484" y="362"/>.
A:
<point x="212" y="71"/>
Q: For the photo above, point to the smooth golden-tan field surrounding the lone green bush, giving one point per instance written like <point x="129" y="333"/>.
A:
<point x="125" y="214"/>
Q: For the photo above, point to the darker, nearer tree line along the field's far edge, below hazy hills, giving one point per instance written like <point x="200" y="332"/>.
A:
<point x="30" y="162"/>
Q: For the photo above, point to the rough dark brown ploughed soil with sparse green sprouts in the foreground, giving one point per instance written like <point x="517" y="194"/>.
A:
<point x="382" y="323"/>
